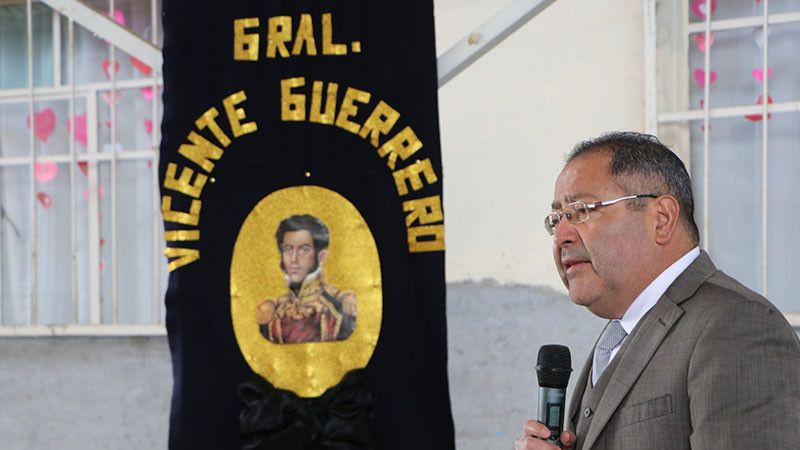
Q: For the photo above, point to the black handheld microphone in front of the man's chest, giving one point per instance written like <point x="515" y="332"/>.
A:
<point x="553" y="368"/>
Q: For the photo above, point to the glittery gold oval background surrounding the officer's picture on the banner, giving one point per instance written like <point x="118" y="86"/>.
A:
<point x="307" y="369"/>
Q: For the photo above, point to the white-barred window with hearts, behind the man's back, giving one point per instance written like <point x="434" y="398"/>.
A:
<point x="706" y="80"/>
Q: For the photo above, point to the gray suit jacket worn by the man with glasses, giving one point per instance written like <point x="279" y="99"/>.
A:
<point x="712" y="365"/>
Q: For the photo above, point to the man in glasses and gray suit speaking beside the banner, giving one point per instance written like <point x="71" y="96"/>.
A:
<point x="690" y="358"/>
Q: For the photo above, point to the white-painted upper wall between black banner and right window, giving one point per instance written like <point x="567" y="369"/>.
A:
<point x="573" y="72"/>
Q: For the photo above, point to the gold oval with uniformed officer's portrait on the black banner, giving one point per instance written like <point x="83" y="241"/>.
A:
<point x="306" y="292"/>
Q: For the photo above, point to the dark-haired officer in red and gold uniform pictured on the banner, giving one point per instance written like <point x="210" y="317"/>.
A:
<point x="311" y="310"/>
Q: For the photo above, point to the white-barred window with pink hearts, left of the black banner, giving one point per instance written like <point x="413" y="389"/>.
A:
<point x="78" y="179"/>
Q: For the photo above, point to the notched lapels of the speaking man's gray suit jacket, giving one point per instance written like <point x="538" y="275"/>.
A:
<point x="643" y="342"/>
